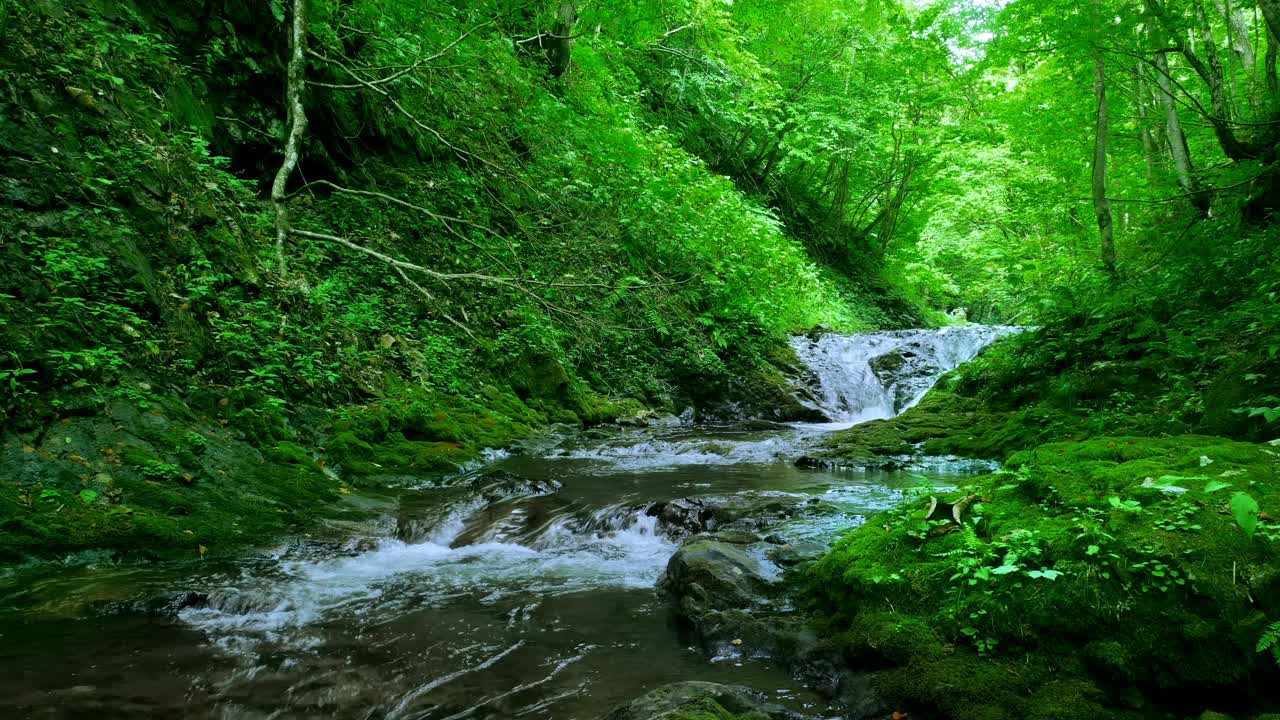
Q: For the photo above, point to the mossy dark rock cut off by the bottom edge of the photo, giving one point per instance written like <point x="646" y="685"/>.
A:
<point x="682" y="701"/>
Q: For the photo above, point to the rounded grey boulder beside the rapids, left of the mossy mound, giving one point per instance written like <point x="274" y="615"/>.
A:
<point x="708" y="575"/>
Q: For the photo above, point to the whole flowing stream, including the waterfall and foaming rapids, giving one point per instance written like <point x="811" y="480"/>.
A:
<point x="525" y="590"/>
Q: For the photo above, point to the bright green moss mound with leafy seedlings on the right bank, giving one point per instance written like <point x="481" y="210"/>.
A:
<point x="1159" y="586"/>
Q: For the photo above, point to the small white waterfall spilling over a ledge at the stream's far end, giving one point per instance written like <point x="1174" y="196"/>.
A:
<point x="871" y="377"/>
